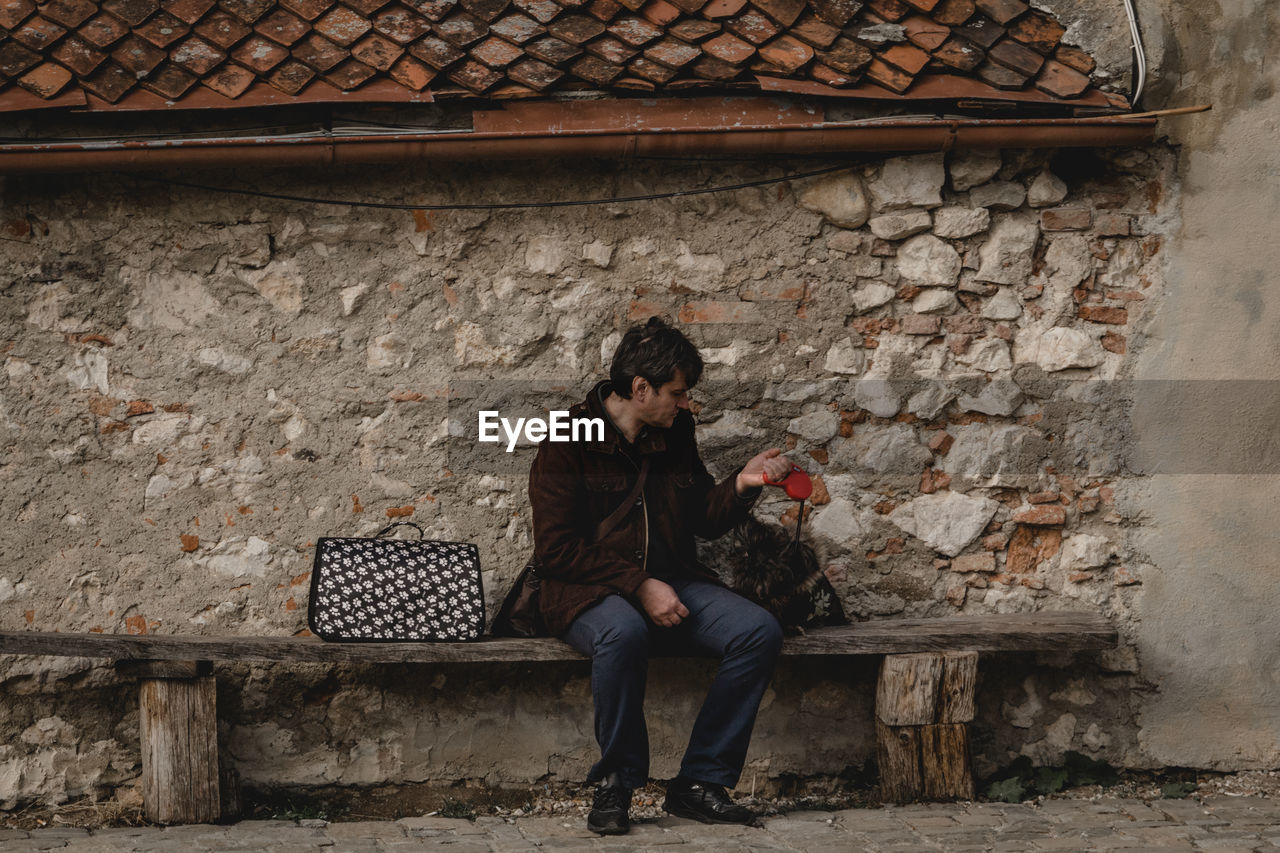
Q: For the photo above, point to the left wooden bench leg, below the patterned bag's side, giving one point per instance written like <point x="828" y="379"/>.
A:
<point x="180" y="741"/>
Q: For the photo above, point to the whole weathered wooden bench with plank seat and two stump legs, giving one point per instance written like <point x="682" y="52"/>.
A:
<point x="925" y="699"/>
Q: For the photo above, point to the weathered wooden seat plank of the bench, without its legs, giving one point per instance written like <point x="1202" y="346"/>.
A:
<point x="1057" y="631"/>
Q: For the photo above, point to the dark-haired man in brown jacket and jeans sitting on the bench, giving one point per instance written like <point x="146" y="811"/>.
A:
<point x="614" y="530"/>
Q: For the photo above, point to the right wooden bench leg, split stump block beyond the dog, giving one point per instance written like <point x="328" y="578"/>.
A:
<point x="924" y="706"/>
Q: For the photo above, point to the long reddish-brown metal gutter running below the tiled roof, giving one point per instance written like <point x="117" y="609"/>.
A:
<point x="822" y="138"/>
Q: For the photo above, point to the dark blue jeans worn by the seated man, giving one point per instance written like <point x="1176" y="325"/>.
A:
<point x="620" y="638"/>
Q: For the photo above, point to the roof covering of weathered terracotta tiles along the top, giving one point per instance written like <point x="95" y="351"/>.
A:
<point x="520" y="48"/>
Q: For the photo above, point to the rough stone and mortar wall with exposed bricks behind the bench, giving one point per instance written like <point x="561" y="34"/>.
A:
<point x="199" y="386"/>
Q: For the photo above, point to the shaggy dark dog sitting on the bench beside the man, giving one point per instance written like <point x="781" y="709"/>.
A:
<point x="784" y="577"/>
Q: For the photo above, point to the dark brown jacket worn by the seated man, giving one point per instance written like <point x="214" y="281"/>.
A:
<point x="574" y="486"/>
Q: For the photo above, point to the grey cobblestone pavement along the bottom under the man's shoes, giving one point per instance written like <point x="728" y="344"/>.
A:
<point x="1218" y="823"/>
